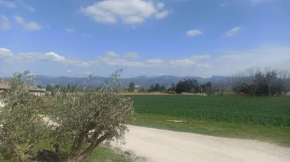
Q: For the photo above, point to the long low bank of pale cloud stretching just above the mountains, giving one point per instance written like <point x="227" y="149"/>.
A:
<point x="222" y="63"/>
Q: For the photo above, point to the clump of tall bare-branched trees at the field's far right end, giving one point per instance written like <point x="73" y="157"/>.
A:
<point x="255" y="82"/>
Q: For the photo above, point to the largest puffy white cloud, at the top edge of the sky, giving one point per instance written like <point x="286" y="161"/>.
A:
<point x="128" y="11"/>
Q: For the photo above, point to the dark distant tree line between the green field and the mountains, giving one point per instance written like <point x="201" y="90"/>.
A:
<point x="251" y="82"/>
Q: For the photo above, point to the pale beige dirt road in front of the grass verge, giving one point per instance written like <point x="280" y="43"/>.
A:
<point x="168" y="146"/>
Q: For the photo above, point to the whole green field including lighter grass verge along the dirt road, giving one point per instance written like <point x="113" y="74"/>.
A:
<point x="266" y="119"/>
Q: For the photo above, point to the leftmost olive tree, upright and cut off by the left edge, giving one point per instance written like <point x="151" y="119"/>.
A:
<point x="20" y="125"/>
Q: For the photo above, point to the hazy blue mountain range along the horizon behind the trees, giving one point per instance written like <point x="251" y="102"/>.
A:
<point x="144" y="81"/>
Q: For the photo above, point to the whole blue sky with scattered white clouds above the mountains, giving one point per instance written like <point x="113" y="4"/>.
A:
<point x="143" y="37"/>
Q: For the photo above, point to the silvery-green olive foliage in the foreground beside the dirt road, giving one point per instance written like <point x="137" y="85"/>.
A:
<point x="78" y="123"/>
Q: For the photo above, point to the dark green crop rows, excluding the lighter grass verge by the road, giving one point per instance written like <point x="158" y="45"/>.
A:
<point x="263" y="111"/>
